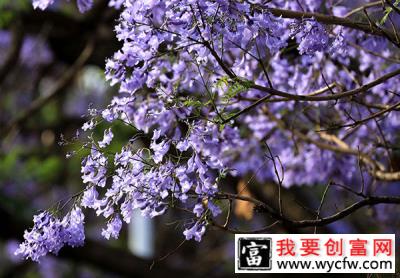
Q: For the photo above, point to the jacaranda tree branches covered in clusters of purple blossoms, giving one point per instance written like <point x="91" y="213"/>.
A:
<point x="222" y="92"/>
